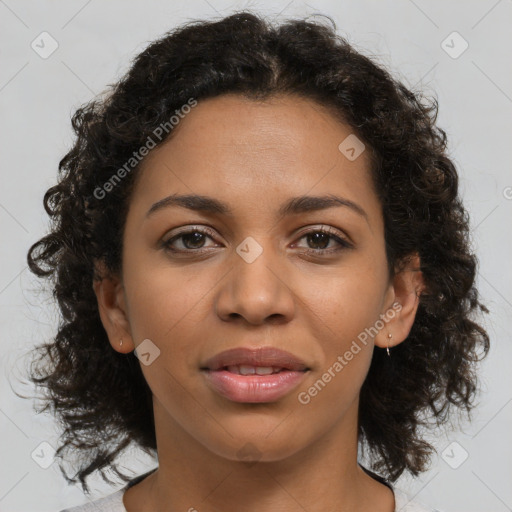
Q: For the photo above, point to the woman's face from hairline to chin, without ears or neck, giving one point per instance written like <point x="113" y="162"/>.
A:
<point x="199" y="279"/>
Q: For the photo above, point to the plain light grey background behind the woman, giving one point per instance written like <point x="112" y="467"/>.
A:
<point x="96" y="42"/>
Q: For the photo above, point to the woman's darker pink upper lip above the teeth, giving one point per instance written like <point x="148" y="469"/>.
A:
<point x="263" y="356"/>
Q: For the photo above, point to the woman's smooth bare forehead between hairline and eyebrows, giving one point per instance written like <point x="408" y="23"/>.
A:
<point x="253" y="153"/>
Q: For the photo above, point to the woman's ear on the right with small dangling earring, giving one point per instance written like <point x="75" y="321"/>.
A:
<point x="402" y="303"/>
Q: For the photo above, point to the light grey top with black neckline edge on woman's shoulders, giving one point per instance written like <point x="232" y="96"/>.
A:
<point x="114" y="502"/>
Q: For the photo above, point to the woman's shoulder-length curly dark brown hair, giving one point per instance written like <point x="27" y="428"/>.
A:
<point x="100" y="396"/>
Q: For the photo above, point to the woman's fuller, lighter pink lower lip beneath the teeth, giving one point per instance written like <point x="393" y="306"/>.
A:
<point x="253" y="388"/>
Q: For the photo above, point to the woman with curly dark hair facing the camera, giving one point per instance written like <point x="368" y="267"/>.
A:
<point x="262" y="263"/>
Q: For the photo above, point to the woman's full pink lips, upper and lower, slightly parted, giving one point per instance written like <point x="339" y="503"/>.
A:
<point x="254" y="388"/>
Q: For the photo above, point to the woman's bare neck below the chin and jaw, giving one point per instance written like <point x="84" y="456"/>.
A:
<point x="324" y="475"/>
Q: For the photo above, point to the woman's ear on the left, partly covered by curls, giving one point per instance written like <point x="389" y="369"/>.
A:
<point x="109" y="292"/>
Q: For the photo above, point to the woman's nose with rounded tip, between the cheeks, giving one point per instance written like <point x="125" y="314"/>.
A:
<point x="256" y="292"/>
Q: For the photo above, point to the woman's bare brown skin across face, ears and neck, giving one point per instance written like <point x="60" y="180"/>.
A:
<point x="255" y="156"/>
